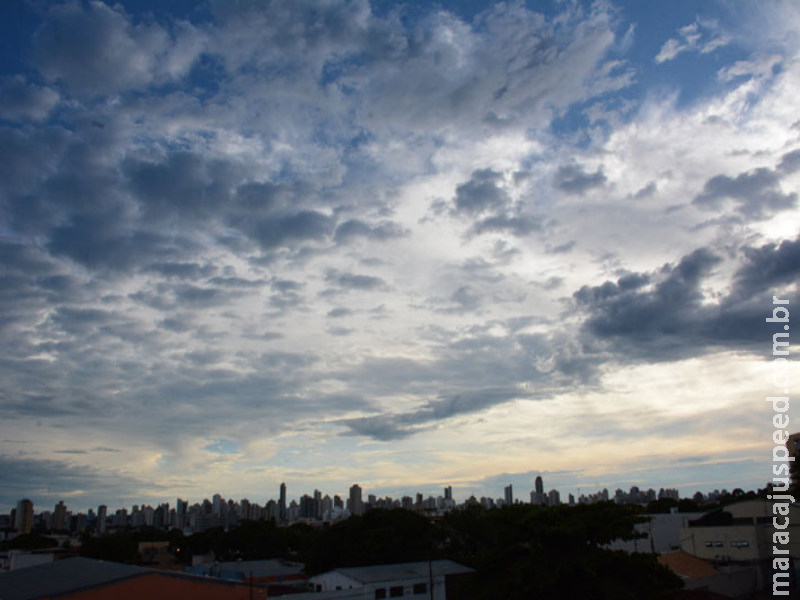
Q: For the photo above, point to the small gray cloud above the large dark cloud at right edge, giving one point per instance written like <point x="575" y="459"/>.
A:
<point x="757" y="193"/>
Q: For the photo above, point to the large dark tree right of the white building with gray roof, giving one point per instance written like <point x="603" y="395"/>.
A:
<point x="524" y="551"/>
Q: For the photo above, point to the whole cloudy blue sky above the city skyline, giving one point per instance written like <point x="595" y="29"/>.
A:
<point x="405" y="245"/>
